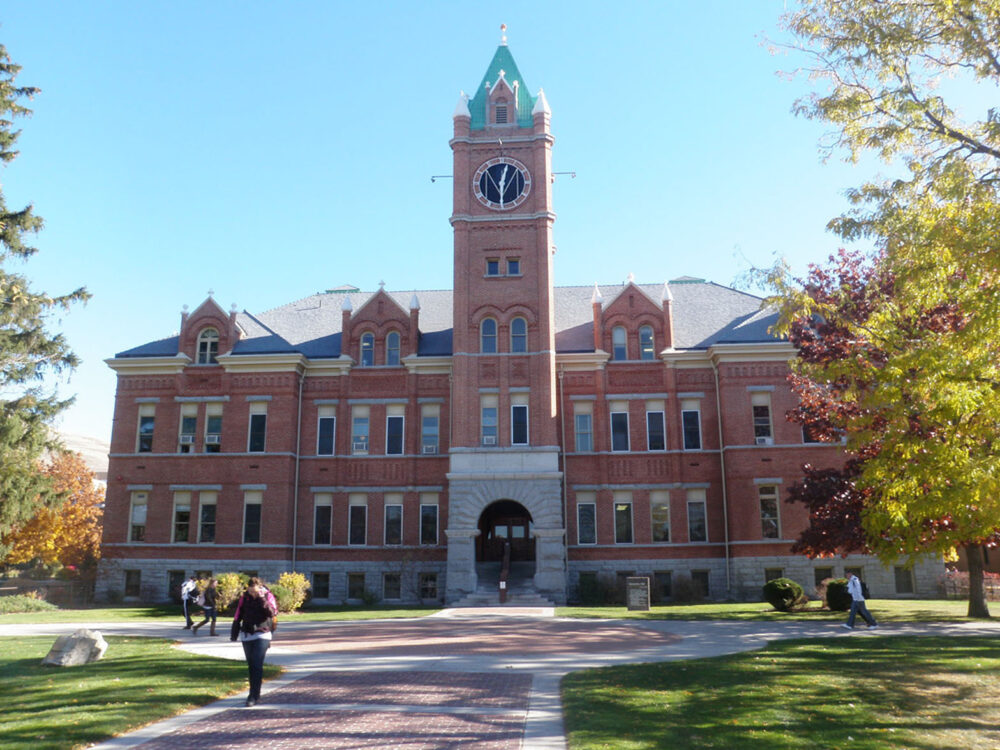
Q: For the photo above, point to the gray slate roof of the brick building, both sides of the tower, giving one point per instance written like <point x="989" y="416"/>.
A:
<point x="705" y="314"/>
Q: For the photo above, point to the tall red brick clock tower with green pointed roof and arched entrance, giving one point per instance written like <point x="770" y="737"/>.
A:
<point x="504" y="483"/>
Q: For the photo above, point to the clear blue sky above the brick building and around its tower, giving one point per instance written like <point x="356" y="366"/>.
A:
<point x="268" y="151"/>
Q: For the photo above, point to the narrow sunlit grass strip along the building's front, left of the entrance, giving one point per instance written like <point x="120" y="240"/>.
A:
<point x="160" y="613"/>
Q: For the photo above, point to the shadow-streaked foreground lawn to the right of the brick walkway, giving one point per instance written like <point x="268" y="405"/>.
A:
<point x="860" y="693"/>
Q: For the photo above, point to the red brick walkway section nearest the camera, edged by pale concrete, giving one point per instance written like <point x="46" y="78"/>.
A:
<point x="354" y="709"/>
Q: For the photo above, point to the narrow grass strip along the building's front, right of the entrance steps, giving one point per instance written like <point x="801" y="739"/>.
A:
<point x="885" y="610"/>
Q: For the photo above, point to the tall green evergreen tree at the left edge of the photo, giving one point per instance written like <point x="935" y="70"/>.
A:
<point x="28" y="350"/>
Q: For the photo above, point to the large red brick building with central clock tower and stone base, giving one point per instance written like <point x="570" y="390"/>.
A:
<point x="389" y="444"/>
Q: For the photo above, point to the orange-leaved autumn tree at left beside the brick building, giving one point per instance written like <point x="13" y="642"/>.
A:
<point x="68" y="534"/>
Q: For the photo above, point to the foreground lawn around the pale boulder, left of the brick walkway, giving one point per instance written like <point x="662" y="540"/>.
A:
<point x="139" y="680"/>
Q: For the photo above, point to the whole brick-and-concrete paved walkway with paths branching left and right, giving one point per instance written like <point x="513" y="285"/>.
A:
<point x="465" y="678"/>
